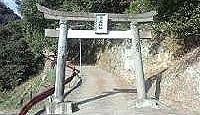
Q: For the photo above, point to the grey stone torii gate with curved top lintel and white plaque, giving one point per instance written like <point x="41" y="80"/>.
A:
<point x="100" y="31"/>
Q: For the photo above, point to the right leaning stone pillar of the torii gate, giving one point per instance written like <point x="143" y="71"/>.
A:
<point x="137" y="64"/>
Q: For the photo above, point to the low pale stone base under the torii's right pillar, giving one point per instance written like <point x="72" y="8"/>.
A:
<point x="147" y="103"/>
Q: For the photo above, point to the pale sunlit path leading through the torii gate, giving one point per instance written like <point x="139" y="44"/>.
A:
<point x="101" y="93"/>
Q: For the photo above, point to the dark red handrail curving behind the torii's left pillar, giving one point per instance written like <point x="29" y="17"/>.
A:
<point x="41" y="96"/>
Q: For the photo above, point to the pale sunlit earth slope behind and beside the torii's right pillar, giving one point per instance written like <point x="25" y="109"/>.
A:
<point x="174" y="82"/>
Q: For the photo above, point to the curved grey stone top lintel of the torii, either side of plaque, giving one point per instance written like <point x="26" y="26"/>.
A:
<point x="57" y="15"/>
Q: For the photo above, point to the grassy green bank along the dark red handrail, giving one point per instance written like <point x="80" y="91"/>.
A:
<point x="13" y="100"/>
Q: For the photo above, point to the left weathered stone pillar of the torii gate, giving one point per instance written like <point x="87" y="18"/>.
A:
<point x="60" y="66"/>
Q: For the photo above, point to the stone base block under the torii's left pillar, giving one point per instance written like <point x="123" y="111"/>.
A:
<point x="60" y="108"/>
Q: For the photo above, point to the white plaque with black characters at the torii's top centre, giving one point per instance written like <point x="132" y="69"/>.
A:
<point x="101" y="23"/>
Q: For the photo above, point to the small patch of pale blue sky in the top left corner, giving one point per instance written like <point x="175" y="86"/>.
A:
<point x="11" y="4"/>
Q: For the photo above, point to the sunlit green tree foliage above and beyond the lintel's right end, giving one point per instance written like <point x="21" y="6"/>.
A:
<point x="179" y="19"/>
